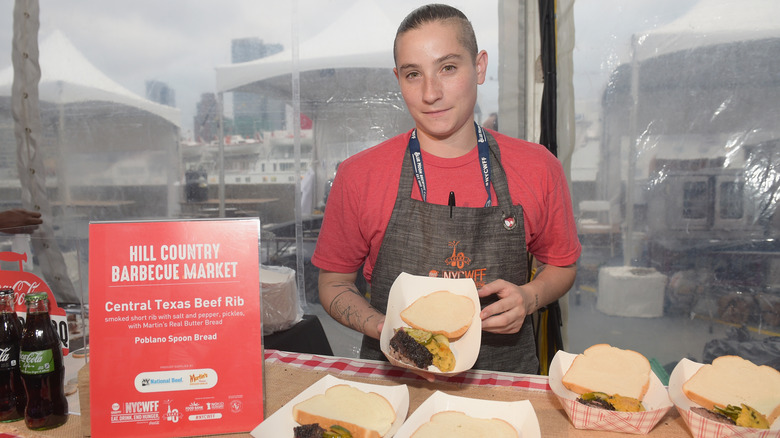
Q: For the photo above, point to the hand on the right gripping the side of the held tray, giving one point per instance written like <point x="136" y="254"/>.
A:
<point x="506" y="315"/>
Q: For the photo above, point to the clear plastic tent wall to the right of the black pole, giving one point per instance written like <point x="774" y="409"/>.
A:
<point x="675" y="175"/>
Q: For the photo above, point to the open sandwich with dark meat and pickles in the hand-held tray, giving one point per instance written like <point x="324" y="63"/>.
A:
<point x="433" y="320"/>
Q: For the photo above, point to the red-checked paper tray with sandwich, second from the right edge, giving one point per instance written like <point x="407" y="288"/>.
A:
<point x="602" y="378"/>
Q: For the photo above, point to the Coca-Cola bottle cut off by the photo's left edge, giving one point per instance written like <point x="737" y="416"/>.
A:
<point x="12" y="396"/>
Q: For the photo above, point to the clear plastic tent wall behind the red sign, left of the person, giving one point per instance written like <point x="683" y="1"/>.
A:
<point x="142" y="124"/>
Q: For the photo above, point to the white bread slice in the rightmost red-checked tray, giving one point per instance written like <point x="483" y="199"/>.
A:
<point x="732" y="380"/>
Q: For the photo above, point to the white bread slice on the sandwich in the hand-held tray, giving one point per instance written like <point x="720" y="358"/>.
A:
<point x="441" y="312"/>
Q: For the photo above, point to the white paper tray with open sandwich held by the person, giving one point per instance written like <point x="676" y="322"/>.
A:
<point x="432" y="324"/>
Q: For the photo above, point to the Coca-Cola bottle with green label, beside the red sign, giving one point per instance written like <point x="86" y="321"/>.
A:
<point x="42" y="368"/>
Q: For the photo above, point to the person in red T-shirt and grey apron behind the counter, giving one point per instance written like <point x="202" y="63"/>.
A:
<point x="389" y="209"/>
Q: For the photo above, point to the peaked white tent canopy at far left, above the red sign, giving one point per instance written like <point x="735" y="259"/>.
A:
<point x="68" y="77"/>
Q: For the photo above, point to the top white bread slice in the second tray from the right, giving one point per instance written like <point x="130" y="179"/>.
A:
<point x="608" y="369"/>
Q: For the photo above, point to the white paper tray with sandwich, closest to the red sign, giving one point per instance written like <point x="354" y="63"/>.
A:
<point x="365" y="410"/>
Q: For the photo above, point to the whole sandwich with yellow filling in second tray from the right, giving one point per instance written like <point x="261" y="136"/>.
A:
<point x="610" y="378"/>
